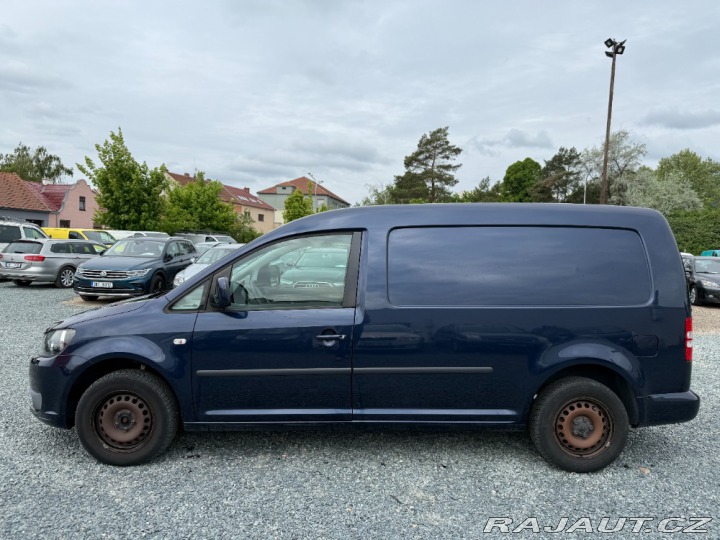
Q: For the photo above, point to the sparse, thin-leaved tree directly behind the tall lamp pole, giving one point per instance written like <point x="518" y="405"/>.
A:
<point x="624" y="158"/>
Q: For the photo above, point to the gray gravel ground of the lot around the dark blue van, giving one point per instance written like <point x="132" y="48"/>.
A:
<point x="337" y="485"/>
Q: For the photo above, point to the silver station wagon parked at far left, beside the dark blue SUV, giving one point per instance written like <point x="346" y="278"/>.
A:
<point x="45" y="260"/>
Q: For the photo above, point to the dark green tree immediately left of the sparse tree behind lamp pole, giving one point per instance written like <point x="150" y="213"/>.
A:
<point x="559" y="178"/>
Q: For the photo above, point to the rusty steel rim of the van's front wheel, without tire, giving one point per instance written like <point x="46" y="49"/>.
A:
<point x="124" y="421"/>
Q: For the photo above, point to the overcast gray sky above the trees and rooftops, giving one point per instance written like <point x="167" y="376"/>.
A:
<point x="260" y="92"/>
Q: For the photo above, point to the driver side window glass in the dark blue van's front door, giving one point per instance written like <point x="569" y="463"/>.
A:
<point x="306" y="272"/>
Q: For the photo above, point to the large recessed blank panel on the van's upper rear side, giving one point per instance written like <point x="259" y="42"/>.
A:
<point x="517" y="266"/>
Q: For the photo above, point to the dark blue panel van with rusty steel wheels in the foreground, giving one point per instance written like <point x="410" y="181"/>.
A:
<point x="572" y="322"/>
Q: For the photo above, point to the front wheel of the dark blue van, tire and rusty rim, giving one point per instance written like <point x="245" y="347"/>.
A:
<point x="127" y="417"/>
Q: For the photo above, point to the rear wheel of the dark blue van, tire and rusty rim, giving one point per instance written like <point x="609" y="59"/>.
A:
<point x="598" y="417"/>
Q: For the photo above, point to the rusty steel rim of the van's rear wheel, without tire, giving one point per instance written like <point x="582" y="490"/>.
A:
<point x="583" y="427"/>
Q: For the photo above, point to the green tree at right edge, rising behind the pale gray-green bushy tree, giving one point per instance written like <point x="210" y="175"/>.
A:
<point x="703" y="176"/>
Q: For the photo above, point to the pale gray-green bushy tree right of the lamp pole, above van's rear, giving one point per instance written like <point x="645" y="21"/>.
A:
<point x="666" y="195"/>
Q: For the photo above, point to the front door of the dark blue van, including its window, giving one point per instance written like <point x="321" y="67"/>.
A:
<point x="282" y="351"/>
